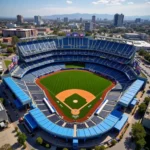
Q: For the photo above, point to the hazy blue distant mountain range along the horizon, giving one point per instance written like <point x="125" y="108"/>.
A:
<point x="88" y="16"/>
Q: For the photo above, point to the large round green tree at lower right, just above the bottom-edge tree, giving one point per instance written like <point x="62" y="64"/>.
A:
<point x="138" y="131"/>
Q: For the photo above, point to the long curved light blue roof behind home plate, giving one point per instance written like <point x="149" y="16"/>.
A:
<point x="107" y="124"/>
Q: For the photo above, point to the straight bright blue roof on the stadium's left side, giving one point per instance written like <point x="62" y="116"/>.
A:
<point x="19" y="93"/>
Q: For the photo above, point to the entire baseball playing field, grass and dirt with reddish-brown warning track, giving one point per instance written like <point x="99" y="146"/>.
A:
<point x="73" y="91"/>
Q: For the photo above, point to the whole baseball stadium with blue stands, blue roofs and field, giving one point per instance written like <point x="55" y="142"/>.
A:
<point x="75" y="89"/>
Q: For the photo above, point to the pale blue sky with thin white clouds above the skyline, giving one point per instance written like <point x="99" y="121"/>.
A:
<point x="29" y="8"/>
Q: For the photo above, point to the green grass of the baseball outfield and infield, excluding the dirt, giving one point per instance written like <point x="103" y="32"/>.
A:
<point x="75" y="80"/>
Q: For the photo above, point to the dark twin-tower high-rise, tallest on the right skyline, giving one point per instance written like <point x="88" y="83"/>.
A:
<point x="118" y="20"/>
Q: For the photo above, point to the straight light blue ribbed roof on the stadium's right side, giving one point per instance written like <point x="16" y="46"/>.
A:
<point x="130" y="93"/>
